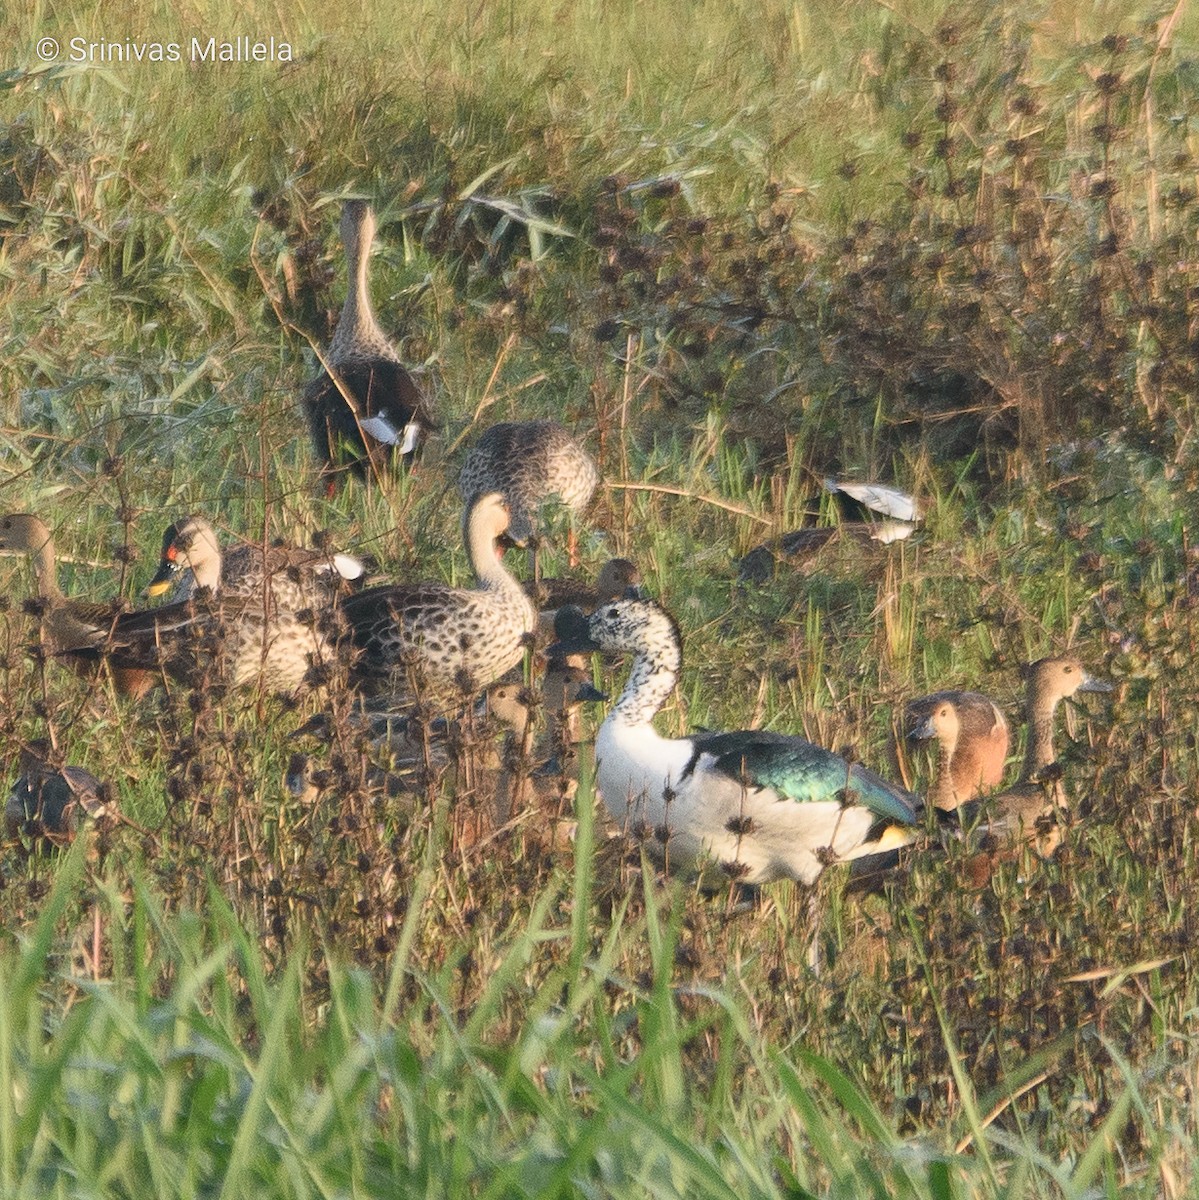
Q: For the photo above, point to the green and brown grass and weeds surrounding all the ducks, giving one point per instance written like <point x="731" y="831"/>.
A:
<point x="738" y="248"/>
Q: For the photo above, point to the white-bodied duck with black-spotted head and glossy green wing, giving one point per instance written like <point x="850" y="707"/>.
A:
<point x="760" y="806"/>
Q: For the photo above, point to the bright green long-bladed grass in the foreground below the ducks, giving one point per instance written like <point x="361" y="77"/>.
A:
<point x="196" y="1069"/>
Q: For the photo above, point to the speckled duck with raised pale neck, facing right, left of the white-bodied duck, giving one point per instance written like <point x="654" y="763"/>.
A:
<point x="452" y="641"/>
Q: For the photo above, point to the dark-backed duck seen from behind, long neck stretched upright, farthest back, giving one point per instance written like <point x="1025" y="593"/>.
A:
<point x="367" y="411"/>
